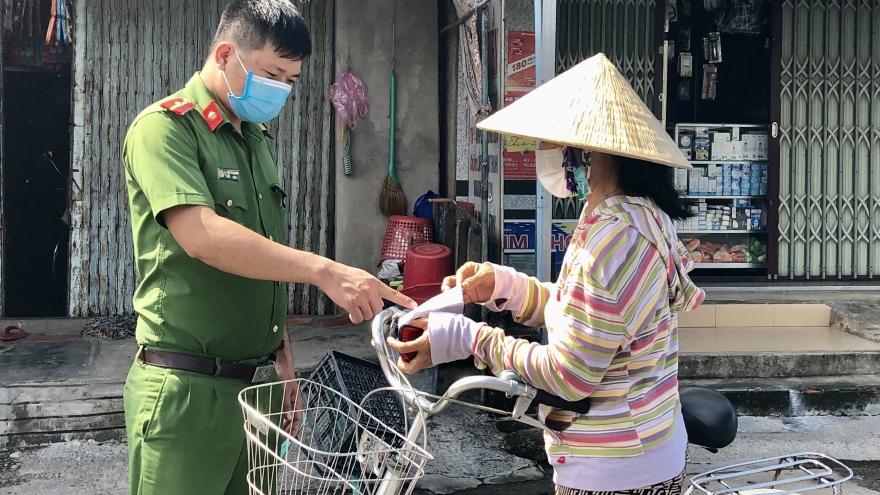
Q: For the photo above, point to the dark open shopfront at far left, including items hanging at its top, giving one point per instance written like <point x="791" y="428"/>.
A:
<point x="36" y="82"/>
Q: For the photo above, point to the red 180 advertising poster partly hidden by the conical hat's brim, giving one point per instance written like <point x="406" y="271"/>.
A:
<point x="519" y="153"/>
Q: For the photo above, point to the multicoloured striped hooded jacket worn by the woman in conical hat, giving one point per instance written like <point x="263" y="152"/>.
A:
<point x="612" y="326"/>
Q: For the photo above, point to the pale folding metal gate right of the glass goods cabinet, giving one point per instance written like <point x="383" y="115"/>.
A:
<point x="829" y="110"/>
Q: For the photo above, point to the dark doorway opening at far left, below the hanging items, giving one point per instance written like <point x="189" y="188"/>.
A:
<point x="36" y="158"/>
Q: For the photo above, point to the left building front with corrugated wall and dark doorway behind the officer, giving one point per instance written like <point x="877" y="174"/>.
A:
<point x="74" y="76"/>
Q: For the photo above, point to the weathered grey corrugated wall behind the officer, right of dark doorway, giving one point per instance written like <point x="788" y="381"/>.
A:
<point x="129" y="54"/>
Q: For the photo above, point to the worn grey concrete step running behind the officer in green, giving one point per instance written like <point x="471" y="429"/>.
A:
<point x="53" y="391"/>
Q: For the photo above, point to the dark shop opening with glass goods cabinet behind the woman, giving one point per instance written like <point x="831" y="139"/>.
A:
<point x="719" y="110"/>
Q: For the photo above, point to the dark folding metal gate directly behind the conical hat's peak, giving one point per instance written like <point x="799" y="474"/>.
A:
<point x="624" y="30"/>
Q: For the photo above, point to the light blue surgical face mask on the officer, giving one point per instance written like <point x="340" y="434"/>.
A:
<point x="262" y="98"/>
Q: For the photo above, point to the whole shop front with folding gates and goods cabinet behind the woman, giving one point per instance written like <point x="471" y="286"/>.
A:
<point x="775" y="104"/>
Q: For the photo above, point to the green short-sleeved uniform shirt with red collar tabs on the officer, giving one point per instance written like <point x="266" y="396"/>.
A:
<point x="184" y="151"/>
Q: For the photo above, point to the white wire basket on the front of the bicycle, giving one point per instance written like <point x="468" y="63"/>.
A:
<point x="340" y="448"/>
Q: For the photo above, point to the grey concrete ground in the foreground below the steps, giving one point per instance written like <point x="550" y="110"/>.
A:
<point x="76" y="468"/>
